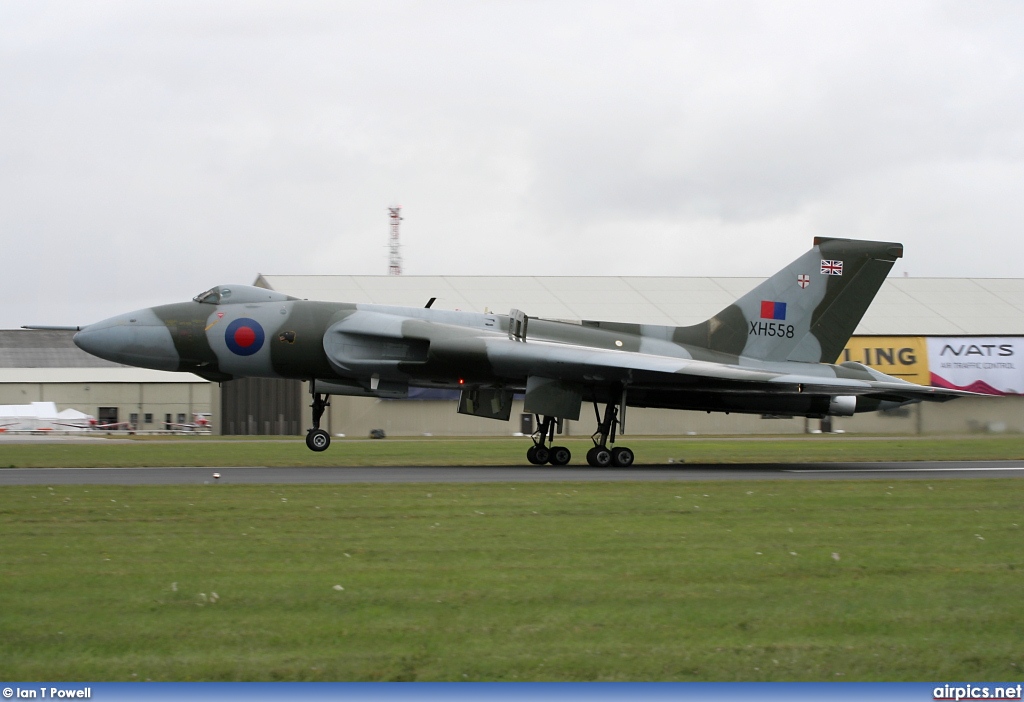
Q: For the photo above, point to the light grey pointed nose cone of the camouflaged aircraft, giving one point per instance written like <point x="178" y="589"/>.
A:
<point x="136" y="339"/>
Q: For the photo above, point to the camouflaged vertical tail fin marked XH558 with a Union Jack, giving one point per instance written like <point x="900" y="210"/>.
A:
<point x="805" y="313"/>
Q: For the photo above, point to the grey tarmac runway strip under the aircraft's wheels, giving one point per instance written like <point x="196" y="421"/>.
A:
<point x="251" y="475"/>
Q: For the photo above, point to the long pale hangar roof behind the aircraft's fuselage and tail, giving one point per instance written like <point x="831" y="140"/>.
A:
<point x="904" y="306"/>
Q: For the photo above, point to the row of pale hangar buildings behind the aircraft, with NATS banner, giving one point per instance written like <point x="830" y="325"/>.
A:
<point x="913" y="327"/>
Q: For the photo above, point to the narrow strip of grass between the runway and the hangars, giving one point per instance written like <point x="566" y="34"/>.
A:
<point x="502" y="452"/>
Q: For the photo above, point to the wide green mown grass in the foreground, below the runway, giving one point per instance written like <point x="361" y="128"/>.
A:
<point x="626" y="582"/>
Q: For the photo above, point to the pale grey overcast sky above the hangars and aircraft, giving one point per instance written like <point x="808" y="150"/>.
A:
<point x="152" y="150"/>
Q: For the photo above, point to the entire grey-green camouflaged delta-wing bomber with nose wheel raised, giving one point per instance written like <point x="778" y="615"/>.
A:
<point x="770" y="354"/>
